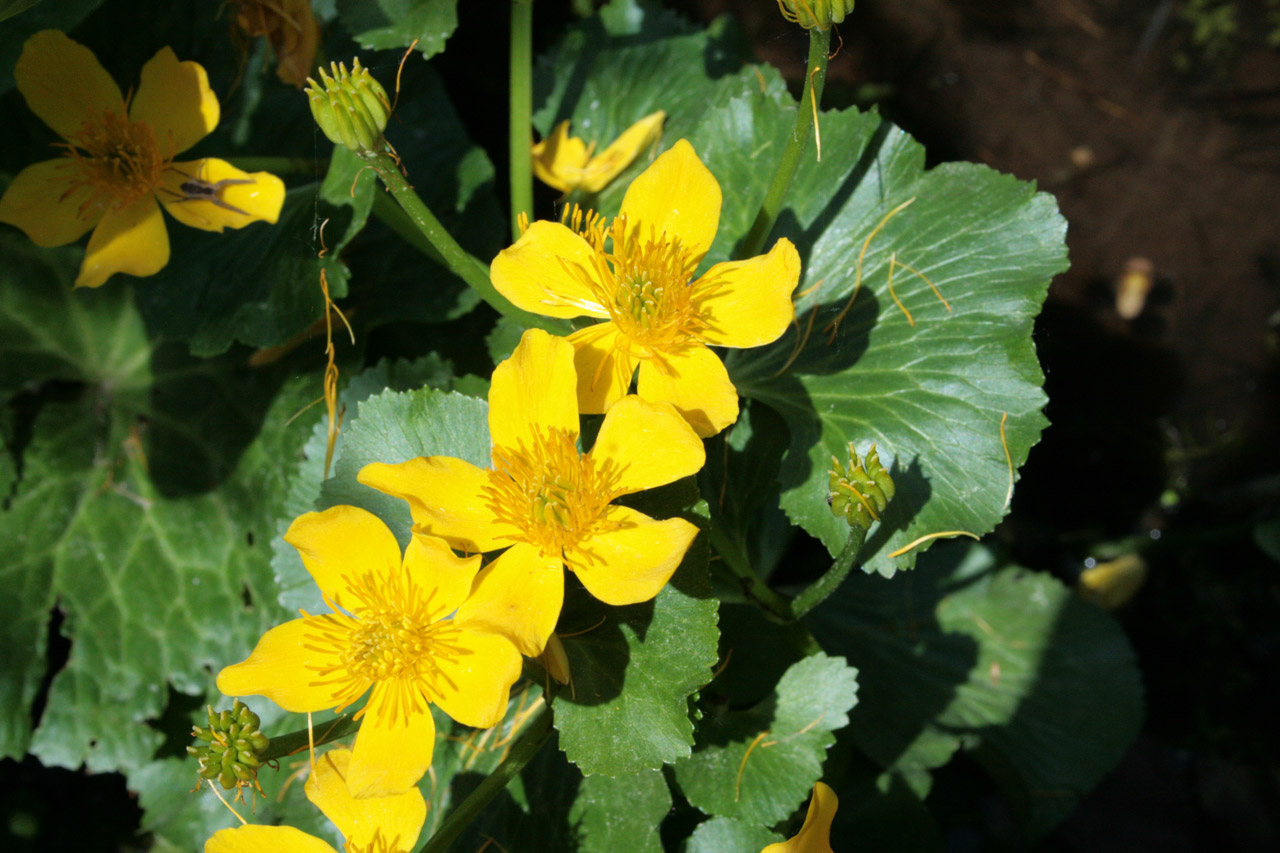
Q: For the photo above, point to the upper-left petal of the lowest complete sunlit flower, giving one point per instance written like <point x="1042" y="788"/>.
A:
<point x="340" y="544"/>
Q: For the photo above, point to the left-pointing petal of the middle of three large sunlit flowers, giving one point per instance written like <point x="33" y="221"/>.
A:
<point x="446" y="496"/>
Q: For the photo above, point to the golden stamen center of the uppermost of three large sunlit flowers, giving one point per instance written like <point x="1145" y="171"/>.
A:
<point x="644" y="284"/>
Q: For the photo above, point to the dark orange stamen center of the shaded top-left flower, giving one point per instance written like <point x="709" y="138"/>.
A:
<point x="120" y="162"/>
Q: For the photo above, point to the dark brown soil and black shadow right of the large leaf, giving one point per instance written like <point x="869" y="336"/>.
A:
<point x="1164" y="434"/>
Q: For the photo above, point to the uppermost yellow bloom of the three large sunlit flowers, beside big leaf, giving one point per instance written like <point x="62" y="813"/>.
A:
<point x="637" y="273"/>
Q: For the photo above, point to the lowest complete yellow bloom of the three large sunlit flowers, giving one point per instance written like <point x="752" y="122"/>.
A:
<point x="404" y="627"/>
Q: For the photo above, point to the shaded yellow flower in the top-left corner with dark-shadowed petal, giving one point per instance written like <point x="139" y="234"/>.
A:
<point x="118" y="161"/>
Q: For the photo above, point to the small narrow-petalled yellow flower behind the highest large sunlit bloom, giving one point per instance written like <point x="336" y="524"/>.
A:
<point x="566" y="163"/>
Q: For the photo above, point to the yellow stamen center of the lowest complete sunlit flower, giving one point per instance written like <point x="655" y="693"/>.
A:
<point x="395" y="638"/>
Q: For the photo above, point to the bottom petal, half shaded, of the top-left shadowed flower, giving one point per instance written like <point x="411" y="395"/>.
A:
<point x="132" y="241"/>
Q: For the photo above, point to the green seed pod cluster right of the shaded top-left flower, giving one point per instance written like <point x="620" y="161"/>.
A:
<point x="351" y="108"/>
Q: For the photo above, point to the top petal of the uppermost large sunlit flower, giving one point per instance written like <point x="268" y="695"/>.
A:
<point x="676" y="197"/>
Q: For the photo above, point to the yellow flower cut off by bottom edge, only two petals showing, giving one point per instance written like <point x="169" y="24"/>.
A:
<point x="369" y="825"/>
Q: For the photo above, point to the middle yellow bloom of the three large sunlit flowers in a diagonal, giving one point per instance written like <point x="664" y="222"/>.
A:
<point x="547" y="501"/>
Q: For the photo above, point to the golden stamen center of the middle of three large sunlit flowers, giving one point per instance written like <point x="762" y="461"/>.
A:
<point x="552" y="495"/>
